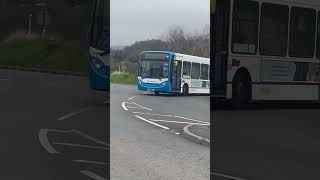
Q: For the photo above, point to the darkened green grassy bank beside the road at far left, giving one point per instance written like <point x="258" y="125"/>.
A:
<point x="68" y="56"/>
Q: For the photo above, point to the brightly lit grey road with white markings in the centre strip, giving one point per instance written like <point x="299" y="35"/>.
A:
<point x="146" y="141"/>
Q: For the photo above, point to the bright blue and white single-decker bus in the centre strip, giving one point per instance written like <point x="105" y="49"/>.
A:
<point x="169" y="72"/>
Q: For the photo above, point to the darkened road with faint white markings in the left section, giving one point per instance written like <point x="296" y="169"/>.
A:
<point x="52" y="127"/>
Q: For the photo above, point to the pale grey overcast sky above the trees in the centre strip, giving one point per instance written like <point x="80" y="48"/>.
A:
<point x="135" y="20"/>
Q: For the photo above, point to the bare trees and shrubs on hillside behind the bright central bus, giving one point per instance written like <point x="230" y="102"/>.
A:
<point x="175" y="40"/>
